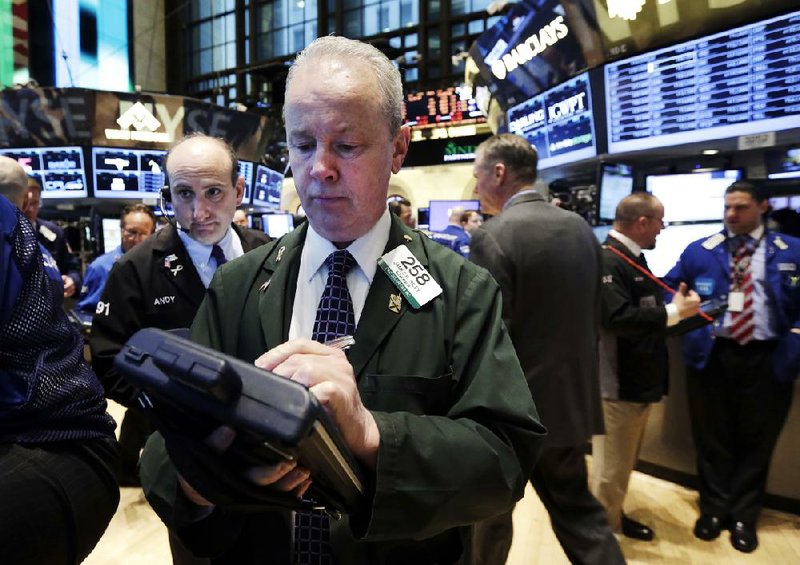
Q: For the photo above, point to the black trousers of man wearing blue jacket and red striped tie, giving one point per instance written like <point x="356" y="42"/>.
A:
<point x="737" y="410"/>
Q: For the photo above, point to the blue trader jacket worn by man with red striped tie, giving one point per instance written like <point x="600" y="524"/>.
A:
<point x="705" y="267"/>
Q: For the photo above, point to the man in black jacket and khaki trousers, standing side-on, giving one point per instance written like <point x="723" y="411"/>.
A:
<point x="633" y="351"/>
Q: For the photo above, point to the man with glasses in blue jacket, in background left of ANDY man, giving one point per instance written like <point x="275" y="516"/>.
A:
<point x="137" y="222"/>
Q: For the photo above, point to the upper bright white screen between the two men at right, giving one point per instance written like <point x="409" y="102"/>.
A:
<point x="692" y="197"/>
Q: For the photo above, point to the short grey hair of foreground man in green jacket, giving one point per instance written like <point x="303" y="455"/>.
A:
<point x="387" y="77"/>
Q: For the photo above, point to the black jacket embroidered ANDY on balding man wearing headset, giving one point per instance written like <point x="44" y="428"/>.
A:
<point x="144" y="290"/>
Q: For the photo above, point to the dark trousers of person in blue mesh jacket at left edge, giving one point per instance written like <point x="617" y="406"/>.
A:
<point x="56" y="500"/>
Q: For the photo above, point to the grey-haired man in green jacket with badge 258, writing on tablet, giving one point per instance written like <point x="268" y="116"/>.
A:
<point x="430" y="399"/>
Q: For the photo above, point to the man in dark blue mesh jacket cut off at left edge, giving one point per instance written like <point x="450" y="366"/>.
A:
<point x="57" y="446"/>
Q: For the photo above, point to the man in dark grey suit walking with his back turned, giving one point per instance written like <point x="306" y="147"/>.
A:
<point x="547" y="263"/>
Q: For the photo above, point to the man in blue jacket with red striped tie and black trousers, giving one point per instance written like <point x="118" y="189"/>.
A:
<point x="740" y="371"/>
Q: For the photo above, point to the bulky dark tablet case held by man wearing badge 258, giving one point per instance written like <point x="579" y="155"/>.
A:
<point x="189" y="390"/>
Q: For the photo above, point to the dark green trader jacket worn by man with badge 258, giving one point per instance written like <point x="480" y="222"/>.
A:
<point x="459" y="430"/>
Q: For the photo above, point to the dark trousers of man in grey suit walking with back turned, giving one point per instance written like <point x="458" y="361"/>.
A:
<point x="578" y="519"/>
